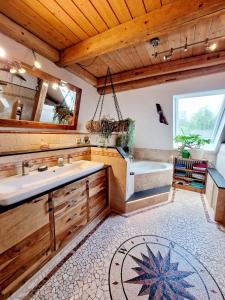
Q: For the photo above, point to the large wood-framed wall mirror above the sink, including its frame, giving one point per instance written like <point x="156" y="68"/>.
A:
<point x="34" y="99"/>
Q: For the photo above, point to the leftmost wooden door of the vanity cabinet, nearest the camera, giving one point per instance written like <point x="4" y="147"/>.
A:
<point x="25" y="243"/>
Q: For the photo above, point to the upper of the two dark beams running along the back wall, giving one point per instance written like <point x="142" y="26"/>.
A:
<point x="189" y="63"/>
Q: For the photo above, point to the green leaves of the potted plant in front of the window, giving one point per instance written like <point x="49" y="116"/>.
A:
<point x="191" y="141"/>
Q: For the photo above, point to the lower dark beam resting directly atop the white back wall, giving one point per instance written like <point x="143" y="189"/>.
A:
<point x="155" y="80"/>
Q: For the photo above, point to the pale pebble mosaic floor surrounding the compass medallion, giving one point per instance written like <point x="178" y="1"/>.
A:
<point x="185" y="221"/>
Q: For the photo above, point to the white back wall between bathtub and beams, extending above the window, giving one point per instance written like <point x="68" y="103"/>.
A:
<point x="140" y="105"/>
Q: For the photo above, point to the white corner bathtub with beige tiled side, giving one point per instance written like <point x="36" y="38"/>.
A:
<point x="151" y="174"/>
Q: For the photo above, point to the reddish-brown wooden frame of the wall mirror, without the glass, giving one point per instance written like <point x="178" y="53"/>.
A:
<point x="42" y="125"/>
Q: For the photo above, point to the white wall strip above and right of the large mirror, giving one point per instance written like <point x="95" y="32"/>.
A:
<point x="89" y="93"/>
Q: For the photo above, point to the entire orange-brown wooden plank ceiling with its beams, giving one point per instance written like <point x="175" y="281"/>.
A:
<point x="87" y="36"/>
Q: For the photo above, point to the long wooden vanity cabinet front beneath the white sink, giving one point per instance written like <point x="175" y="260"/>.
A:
<point x="34" y="230"/>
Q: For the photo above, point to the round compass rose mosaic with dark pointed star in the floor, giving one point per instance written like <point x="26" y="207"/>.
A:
<point x="153" y="267"/>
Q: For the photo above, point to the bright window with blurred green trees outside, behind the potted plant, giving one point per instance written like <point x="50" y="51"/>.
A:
<point x="200" y="113"/>
